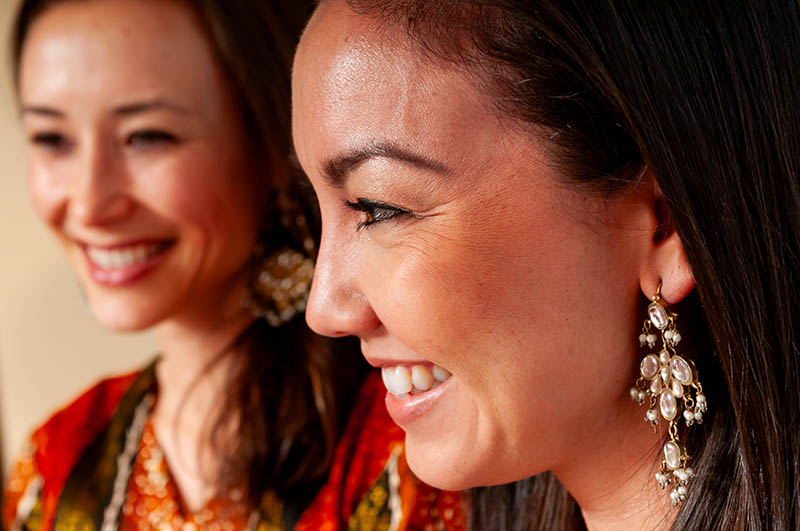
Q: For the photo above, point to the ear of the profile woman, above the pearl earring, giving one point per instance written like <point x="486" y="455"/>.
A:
<point x="667" y="261"/>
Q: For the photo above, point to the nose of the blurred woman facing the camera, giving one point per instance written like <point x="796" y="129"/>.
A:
<point x="97" y="195"/>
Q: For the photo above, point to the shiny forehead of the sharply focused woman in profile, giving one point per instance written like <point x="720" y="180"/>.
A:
<point x="356" y="82"/>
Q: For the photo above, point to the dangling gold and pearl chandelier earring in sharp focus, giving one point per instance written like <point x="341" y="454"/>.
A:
<point x="669" y="384"/>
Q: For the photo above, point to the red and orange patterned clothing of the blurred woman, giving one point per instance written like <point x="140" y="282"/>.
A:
<point x="96" y="465"/>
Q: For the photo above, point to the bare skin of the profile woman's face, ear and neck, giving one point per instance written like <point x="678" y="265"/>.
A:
<point x="527" y="291"/>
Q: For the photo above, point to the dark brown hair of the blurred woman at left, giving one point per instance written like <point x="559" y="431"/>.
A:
<point x="289" y="390"/>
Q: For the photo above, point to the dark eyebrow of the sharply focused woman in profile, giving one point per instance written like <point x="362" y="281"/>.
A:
<point x="337" y="170"/>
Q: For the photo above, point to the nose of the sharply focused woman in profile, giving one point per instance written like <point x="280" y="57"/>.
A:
<point x="336" y="305"/>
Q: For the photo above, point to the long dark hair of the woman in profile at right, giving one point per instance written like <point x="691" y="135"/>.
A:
<point x="705" y="95"/>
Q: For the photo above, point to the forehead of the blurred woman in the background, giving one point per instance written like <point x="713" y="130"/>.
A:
<point x="80" y="49"/>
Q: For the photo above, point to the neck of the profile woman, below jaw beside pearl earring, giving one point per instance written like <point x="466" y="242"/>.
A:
<point x="612" y="475"/>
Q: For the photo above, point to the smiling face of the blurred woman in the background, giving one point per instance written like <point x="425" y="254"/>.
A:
<point x="138" y="159"/>
